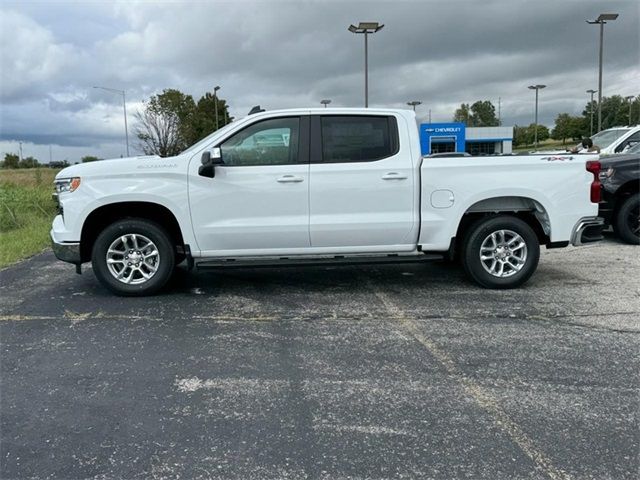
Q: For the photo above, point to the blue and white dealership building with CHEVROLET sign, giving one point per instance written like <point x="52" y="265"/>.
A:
<point x="457" y="137"/>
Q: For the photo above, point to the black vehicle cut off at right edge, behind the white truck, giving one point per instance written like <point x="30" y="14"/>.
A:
<point x="620" y="205"/>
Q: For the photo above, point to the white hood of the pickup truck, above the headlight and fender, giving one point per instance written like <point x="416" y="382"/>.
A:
<point x="122" y="166"/>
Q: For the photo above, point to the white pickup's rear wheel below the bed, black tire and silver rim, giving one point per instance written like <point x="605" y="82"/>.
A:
<point x="525" y="258"/>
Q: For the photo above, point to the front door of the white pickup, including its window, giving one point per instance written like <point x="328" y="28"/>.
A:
<point x="258" y="200"/>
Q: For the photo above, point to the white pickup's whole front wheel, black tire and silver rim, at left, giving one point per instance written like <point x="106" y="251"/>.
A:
<point x="133" y="257"/>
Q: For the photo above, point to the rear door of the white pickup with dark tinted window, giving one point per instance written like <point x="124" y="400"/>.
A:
<point x="361" y="191"/>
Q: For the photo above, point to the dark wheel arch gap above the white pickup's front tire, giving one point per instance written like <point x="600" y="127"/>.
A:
<point x="105" y="215"/>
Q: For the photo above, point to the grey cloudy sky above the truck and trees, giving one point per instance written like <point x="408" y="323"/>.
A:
<point x="283" y="54"/>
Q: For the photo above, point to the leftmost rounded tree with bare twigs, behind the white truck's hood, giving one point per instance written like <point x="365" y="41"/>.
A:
<point x="166" y="123"/>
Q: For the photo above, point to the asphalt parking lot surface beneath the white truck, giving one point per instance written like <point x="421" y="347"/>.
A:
<point x="403" y="371"/>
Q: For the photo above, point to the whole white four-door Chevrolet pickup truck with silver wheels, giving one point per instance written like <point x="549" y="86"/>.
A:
<point x="315" y="186"/>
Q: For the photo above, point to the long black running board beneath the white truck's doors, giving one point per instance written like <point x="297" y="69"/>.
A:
<point x="337" y="260"/>
